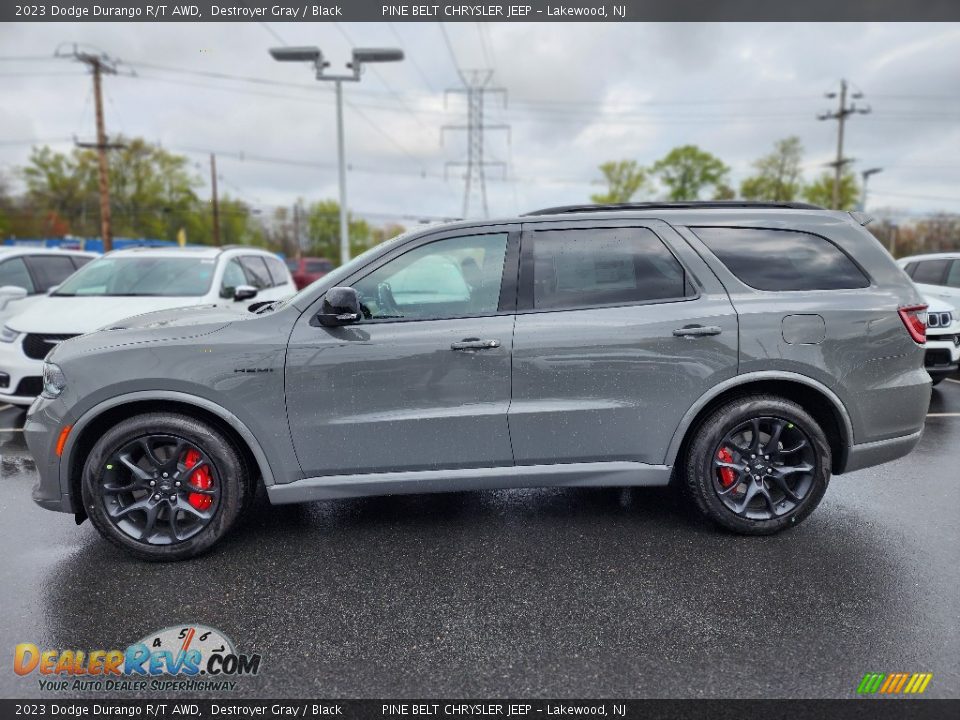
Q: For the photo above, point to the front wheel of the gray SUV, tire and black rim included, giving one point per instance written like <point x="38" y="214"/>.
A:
<point x="125" y="468"/>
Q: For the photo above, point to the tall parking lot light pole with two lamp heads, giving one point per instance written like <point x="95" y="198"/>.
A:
<point x="359" y="57"/>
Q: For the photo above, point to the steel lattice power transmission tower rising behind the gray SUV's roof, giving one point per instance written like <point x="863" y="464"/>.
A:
<point x="476" y="85"/>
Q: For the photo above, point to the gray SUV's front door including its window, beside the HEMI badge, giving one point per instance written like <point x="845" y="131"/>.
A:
<point x="423" y="381"/>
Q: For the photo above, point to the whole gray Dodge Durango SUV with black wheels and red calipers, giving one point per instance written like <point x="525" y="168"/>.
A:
<point x="744" y="351"/>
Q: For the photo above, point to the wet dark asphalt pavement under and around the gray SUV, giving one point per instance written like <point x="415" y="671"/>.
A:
<point x="582" y="593"/>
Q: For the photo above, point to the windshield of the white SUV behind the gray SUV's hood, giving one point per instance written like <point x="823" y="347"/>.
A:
<point x="146" y="276"/>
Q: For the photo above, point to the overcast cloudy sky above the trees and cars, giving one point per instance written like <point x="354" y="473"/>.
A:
<point x="577" y="95"/>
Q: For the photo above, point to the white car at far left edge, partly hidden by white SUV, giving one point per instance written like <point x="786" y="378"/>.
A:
<point x="28" y="273"/>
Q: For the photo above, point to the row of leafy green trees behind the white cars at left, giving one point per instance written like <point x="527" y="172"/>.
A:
<point x="153" y="194"/>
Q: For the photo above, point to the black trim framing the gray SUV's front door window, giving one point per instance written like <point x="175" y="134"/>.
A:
<point x="508" y="280"/>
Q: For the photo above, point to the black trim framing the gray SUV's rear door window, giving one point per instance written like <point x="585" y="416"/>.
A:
<point x="525" y="303"/>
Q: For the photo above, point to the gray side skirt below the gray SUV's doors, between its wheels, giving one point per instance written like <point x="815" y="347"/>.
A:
<point x="598" y="474"/>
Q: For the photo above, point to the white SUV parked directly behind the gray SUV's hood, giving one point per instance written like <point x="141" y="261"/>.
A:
<point x="132" y="282"/>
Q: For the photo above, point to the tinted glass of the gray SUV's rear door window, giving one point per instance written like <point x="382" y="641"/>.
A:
<point x="603" y="266"/>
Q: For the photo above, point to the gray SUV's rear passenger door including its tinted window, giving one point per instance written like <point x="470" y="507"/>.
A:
<point x="620" y="328"/>
